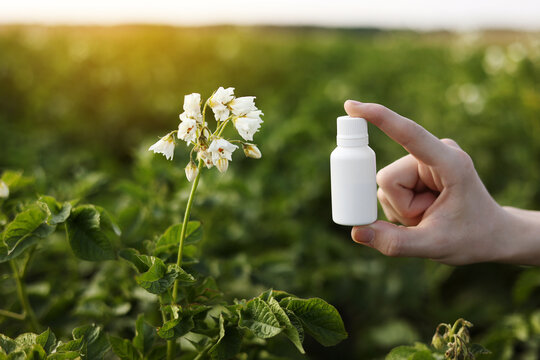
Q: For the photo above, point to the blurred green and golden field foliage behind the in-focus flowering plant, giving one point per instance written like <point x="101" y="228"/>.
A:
<point x="79" y="107"/>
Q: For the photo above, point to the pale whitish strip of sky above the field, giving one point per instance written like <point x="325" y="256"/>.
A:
<point x="413" y="14"/>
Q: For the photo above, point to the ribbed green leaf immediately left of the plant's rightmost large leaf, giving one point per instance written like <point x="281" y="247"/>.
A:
<point x="259" y="318"/>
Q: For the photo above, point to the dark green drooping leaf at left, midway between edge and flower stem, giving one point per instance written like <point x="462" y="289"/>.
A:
<point x="87" y="238"/>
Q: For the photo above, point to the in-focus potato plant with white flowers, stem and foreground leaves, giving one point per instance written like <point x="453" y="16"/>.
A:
<point x="196" y="321"/>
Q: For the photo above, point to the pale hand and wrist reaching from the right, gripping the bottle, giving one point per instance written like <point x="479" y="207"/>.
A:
<point x="446" y="212"/>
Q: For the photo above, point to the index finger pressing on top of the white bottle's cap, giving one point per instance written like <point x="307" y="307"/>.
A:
<point x="414" y="138"/>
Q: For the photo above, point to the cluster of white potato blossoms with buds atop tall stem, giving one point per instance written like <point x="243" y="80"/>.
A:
<point x="210" y="147"/>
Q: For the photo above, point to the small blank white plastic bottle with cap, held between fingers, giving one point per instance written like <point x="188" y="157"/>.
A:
<point x="352" y="173"/>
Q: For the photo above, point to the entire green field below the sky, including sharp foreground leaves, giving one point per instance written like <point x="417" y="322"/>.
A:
<point x="79" y="108"/>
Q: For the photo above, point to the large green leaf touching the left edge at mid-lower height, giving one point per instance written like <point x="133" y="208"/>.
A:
<point x="25" y="230"/>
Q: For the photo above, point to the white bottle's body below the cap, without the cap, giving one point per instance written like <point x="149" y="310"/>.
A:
<point x="354" y="188"/>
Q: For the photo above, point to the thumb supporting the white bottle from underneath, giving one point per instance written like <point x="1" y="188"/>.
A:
<point x="393" y="240"/>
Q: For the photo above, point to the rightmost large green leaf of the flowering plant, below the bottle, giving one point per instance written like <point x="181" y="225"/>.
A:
<point x="320" y="319"/>
